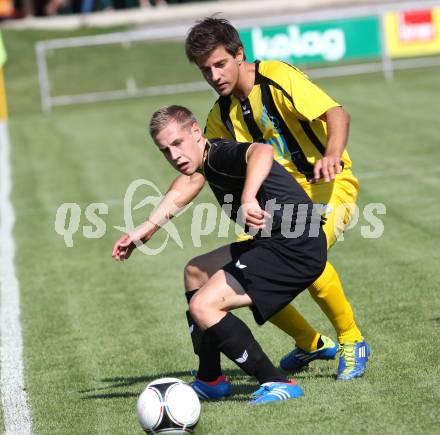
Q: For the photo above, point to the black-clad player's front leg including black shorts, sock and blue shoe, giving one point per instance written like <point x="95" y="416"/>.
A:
<point x="265" y="274"/>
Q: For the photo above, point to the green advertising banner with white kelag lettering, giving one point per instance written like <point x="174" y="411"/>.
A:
<point x="320" y="42"/>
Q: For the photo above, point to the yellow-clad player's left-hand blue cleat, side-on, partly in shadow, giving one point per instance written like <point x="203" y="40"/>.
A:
<point x="298" y="358"/>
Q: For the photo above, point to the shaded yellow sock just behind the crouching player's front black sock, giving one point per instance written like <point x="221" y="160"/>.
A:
<point x="292" y="323"/>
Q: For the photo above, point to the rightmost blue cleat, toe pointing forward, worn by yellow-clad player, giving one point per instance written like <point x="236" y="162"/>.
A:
<point x="353" y="359"/>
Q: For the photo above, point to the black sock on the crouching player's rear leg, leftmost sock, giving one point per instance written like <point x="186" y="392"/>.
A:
<point x="209" y="355"/>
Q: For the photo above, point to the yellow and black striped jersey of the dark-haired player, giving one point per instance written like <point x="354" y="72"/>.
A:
<point x="283" y="110"/>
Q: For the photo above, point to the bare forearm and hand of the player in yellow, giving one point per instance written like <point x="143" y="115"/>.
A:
<point x="338" y="122"/>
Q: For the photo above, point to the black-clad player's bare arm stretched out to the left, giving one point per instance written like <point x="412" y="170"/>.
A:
<point x="181" y="192"/>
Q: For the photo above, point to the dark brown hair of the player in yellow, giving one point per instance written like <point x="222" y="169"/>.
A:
<point x="208" y="34"/>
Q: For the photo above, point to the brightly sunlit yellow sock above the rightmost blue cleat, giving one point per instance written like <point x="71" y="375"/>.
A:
<point x="328" y="293"/>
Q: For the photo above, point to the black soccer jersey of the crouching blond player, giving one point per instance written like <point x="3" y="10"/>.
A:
<point x="280" y="195"/>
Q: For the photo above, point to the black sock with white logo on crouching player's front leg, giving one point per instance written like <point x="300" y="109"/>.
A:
<point x="236" y="341"/>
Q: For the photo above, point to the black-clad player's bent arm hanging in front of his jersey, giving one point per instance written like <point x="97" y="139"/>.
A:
<point x="259" y="162"/>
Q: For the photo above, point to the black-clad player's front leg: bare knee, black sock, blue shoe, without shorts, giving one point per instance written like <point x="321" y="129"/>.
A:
<point x="210" y="308"/>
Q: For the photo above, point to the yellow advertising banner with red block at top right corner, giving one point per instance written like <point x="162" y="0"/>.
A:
<point x="413" y="33"/>
